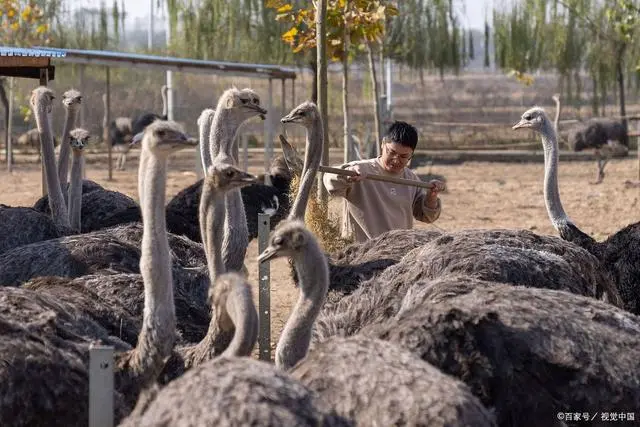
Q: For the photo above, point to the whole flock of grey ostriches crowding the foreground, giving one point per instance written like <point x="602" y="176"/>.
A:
<point x="490" y="327"/>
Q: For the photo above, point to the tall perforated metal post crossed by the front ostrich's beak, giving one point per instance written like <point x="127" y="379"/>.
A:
<point x="264" y="291"/>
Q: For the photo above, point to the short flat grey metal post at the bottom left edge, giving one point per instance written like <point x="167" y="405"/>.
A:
<point x="101" y="386"/>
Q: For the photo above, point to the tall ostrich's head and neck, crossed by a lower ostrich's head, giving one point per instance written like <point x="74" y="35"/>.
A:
<point x="234" y="108"/>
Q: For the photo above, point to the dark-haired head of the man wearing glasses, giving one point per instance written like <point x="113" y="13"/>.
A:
<point x="398" y="146"/>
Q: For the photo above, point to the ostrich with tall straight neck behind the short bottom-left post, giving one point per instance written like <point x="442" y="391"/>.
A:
<point x="49" y="373"/>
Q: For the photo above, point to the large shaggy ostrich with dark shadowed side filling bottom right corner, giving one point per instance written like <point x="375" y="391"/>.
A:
<point x="528" y="353"/>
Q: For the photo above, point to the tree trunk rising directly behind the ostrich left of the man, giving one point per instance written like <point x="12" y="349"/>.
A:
<point x="321" y="42"/>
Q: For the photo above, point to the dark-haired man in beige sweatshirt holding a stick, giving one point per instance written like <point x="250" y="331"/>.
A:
<point x="374" y="207"/>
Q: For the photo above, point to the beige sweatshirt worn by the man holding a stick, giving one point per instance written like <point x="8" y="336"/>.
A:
<point x="374" y="207"/>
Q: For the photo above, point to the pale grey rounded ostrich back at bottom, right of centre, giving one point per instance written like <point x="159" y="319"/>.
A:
<point x="373" y="382"/>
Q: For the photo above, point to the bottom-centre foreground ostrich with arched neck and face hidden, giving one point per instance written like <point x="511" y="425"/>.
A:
<point x="233" y="389"/>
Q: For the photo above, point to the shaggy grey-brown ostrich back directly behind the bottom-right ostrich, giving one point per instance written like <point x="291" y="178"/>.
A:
<point x="515" y="257"/>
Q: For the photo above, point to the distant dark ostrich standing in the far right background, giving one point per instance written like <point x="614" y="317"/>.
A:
<point x="606" y="136"/>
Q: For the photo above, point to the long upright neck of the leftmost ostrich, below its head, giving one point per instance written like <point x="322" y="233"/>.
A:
<point x="57" y="204"/>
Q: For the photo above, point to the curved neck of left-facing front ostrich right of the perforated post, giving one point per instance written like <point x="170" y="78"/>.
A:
<point x="314" y="283"/>
